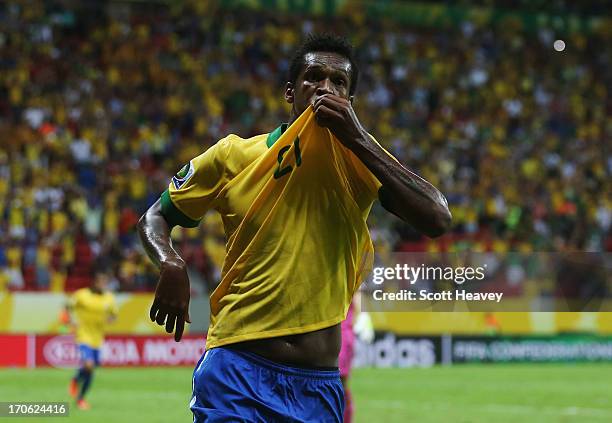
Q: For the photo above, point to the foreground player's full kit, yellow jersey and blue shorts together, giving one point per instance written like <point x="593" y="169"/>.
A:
<point x="294" y="205"/>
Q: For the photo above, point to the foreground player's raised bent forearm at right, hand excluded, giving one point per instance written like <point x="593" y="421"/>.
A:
<point x="403" y="192"/>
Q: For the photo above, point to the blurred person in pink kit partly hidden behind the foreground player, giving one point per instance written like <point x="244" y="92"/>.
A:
<point x="358" y="323"/>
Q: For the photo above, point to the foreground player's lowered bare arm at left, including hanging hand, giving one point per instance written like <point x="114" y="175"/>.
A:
<point x="171" y="303"/>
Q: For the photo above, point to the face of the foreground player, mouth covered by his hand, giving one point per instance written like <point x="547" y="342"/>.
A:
<point x="322" y="73"/>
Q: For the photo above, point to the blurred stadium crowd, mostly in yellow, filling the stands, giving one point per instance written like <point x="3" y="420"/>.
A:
<point x="99" y="108"/>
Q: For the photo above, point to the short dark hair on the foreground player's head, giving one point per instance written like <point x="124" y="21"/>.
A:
<point x="328" y="43"/>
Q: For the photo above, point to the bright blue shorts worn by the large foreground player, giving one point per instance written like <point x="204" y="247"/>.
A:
<point x="238" y="386"/>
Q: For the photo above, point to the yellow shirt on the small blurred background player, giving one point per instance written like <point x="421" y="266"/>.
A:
<point x="92" y="313"/>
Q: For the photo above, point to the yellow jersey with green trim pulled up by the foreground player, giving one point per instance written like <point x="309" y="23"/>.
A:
<point x="294" y="205"/>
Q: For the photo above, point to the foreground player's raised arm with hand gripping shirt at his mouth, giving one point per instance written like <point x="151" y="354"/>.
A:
<point x="403" y="192"/>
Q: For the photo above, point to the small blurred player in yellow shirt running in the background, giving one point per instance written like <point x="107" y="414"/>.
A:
<point x="93" y="308"/>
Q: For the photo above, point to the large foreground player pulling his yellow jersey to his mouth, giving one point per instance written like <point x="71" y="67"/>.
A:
<point x="294" y="204"/>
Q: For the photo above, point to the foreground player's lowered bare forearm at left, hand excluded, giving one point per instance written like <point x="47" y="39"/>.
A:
<point x="154" y="232"/>
